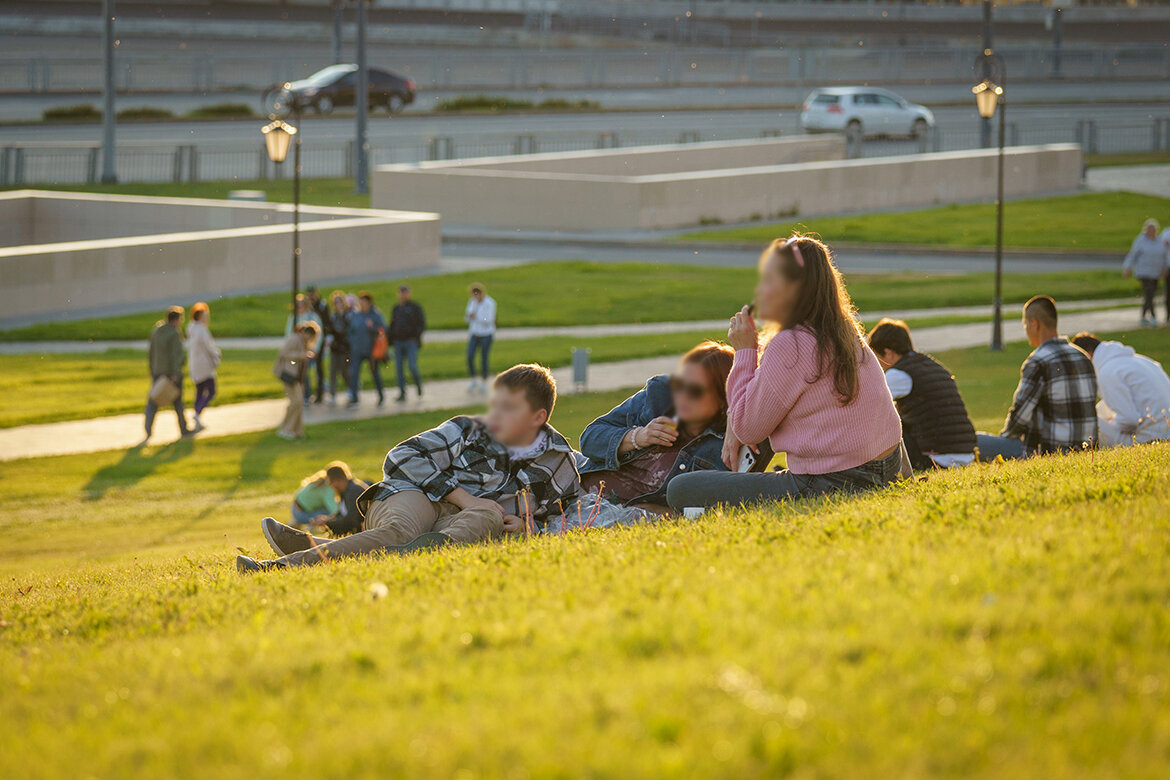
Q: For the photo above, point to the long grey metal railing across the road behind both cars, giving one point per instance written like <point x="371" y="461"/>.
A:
<point x="586" y="68"/>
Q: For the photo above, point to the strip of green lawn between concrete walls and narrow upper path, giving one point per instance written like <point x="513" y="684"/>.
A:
<point x="582" y="293"/>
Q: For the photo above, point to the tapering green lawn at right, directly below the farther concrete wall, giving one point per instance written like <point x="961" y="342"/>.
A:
<point x="1091" y="222"/>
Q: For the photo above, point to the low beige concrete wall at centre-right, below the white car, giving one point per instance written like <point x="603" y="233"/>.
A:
<point x="690" y="184"/>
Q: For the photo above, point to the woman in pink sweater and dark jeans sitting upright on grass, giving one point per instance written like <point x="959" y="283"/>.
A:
<point x="815" y="390"/>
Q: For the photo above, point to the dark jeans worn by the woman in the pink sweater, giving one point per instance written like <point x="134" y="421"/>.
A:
<point x="733" y="489"/>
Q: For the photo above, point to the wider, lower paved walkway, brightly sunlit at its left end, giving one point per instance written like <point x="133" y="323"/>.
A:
<point x="126" y="431"/>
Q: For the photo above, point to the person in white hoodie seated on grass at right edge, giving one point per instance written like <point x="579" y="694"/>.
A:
<point x="1135" y="394"/>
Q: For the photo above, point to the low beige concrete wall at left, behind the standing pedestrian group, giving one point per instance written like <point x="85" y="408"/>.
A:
<point x="196" y="250"/>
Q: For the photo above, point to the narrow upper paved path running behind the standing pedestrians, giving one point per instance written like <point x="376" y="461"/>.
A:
<point x="517" y="334"/>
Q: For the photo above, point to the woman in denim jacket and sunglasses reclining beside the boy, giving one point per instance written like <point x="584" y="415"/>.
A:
<point x="676" y="425"/>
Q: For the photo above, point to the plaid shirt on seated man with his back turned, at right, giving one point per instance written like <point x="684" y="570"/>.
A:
<point x="1055" y="408"/>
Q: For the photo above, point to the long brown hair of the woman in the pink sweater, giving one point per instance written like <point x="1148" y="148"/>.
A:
<point x="825" y="309"/>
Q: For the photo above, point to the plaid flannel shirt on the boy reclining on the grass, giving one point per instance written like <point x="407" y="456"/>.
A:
<point x="463" y="454"/>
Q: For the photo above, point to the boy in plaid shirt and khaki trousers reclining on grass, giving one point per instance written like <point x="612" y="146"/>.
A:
<point x="470" y="480"/>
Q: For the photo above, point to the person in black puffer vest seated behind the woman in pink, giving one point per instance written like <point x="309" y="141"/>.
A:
<point x="937" y="429"/>
